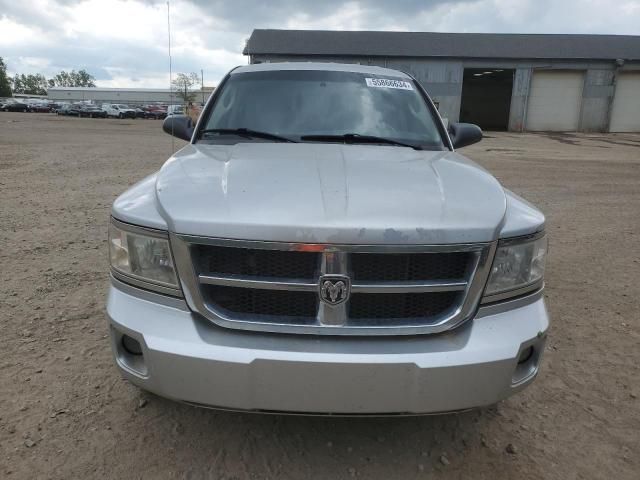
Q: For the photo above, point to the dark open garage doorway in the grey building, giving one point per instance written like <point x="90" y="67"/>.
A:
<point x="486" y="97"/>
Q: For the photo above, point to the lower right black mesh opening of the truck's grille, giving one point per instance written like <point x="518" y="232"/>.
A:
<point x="401" y="305"/>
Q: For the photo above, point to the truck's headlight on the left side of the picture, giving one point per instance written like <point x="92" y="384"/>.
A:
<point x="143" y="257"/>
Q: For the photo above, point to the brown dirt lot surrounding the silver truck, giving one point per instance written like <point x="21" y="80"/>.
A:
<point x="66" y="413"/>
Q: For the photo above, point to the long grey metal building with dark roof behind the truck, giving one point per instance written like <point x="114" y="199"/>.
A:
<point x="500" y="81"/>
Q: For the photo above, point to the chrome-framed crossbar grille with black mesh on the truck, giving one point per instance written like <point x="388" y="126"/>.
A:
<point x="274" y="286"/>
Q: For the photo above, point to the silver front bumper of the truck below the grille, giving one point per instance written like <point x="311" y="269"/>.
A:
<point x="187" y="358"/>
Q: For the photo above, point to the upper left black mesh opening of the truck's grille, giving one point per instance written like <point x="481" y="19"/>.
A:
<point x="255" y="262"/>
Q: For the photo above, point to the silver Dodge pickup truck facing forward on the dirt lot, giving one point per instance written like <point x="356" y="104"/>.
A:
<point x="320" y="247"/>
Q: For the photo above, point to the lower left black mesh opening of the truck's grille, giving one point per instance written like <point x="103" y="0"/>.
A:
<point x="281" y="303"/>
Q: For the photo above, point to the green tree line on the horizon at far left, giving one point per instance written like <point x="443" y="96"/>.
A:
<point x="37" y="84"/>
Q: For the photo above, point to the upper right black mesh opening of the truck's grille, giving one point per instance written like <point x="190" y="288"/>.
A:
<point x="381" y="267"/>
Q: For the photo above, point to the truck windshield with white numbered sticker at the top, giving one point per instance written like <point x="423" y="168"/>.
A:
<point x="297" y="104"/>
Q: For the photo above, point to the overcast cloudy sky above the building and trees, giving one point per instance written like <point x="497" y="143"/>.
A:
<point x="124" y="43"/>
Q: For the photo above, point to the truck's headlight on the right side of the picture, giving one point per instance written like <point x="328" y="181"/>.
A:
<point x="517" y="264"/>
